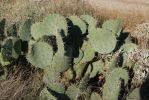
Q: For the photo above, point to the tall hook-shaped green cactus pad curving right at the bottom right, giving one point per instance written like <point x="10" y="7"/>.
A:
<point x="113" y="83"/>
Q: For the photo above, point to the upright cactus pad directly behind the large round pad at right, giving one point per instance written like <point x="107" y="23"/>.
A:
<point x="115" y="26"/>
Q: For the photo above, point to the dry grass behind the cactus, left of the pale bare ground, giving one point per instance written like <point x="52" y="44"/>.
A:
<point x="17" y="10"/>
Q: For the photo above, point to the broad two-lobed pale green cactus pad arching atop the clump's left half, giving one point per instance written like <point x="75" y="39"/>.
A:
<point x="51" y="25"/>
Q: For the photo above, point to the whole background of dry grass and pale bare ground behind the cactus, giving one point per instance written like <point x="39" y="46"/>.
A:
<point x="16" y="10"/>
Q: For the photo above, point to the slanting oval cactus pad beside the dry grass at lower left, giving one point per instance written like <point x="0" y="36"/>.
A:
<point x="51" y="79"/>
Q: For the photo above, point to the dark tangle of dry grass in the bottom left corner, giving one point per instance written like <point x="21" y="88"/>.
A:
<point x="23" y="82"/>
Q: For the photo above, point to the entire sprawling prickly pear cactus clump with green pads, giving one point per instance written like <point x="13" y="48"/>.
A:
<point x="80" y="60"/>
